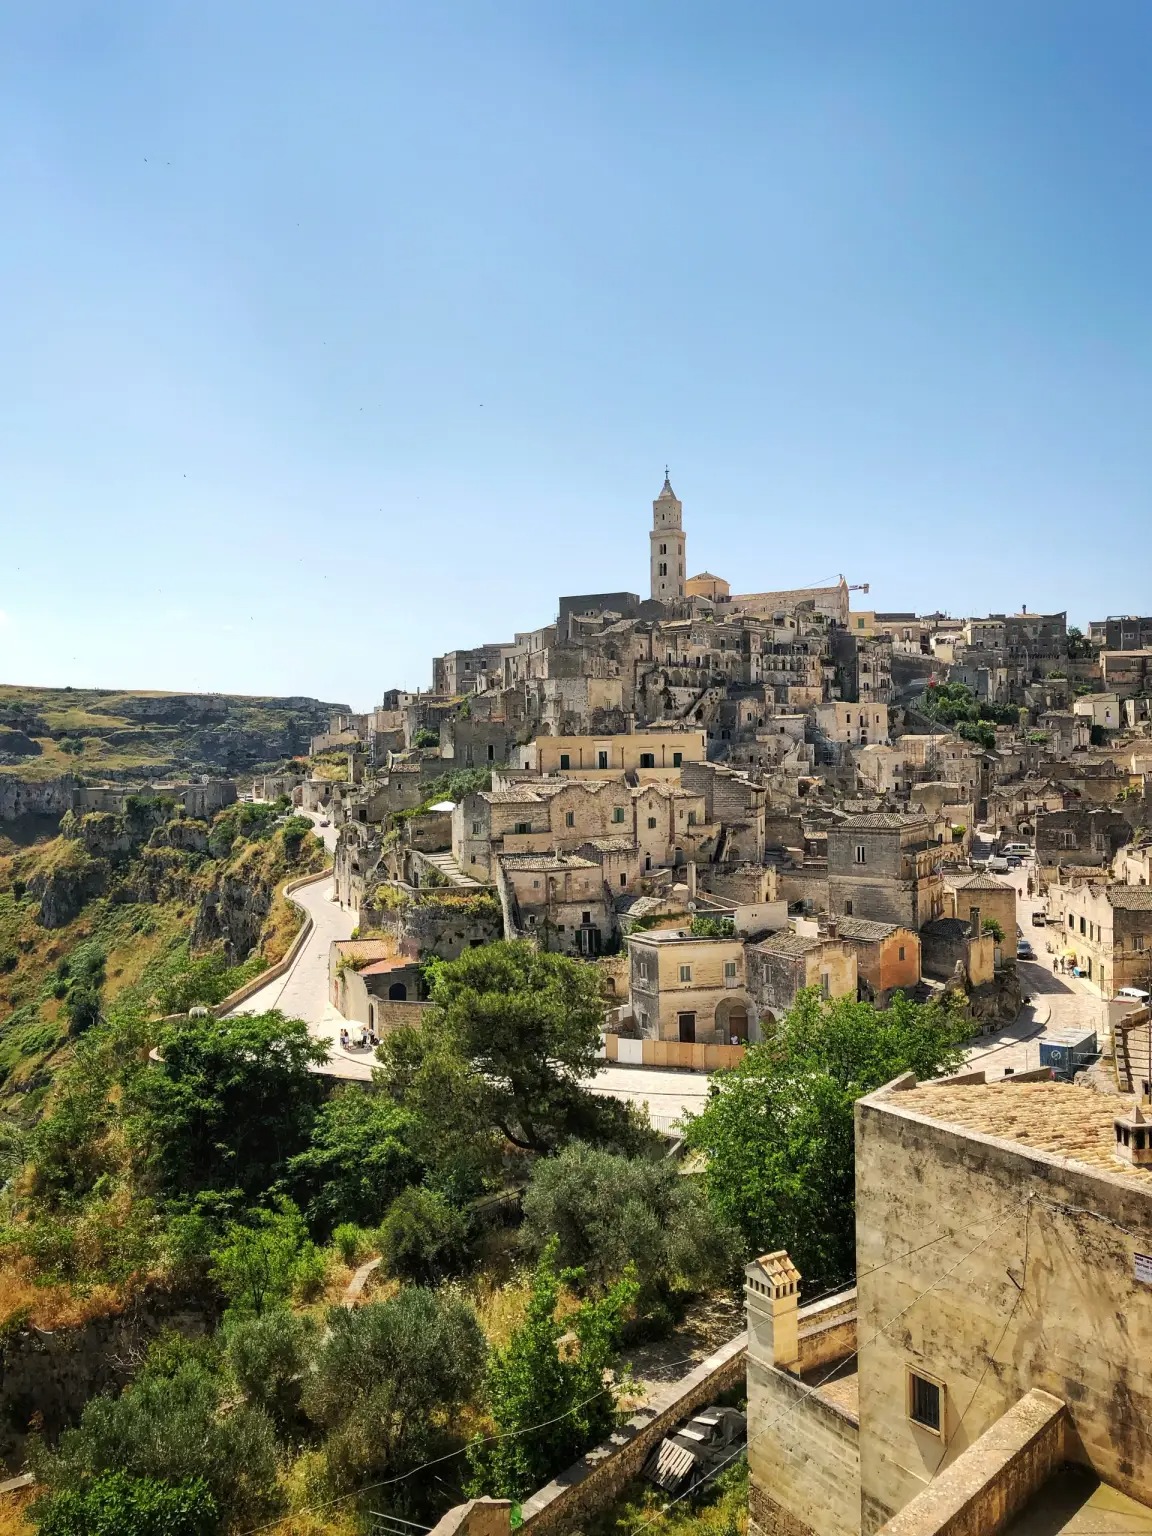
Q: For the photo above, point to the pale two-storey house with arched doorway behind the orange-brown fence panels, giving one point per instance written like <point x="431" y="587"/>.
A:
<point x="690" y="988"/>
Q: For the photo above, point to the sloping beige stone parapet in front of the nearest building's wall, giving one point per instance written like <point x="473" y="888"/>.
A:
<point x="988" y="1485"/>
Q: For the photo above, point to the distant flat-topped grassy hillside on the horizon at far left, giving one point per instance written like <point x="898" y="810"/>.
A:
<point x="99" y="733"/>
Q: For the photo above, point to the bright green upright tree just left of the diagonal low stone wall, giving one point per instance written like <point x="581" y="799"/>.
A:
<point x="558" y="1394"/>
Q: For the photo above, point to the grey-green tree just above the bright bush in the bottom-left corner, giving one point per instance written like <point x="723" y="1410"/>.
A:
<point x="174" y="1429"/>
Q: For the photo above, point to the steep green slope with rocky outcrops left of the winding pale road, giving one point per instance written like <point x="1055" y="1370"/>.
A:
<point x="136" y="899"/>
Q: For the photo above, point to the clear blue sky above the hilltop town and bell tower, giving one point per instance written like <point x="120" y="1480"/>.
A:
<point x="343" y="334"/>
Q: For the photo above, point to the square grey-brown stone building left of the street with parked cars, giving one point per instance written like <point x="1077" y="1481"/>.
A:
<point x="886" y="867"/>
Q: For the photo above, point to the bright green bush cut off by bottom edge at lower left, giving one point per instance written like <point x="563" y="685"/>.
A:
<point x="116" y="1505"/>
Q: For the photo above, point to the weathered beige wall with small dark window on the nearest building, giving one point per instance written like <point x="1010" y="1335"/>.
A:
<point x="1021" y="1289"/>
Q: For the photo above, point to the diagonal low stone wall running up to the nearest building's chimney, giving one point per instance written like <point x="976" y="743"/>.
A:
<point x="595" y="1481"/>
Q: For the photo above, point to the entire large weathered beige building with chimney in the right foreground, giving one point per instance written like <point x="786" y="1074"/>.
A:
<point x="991" y="1363"/>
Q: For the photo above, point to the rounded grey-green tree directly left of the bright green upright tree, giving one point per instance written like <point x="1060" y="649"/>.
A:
<point x="389" y="1379"/>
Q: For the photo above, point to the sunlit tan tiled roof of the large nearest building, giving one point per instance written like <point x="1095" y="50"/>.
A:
<point x="1050" y="1117"/>
